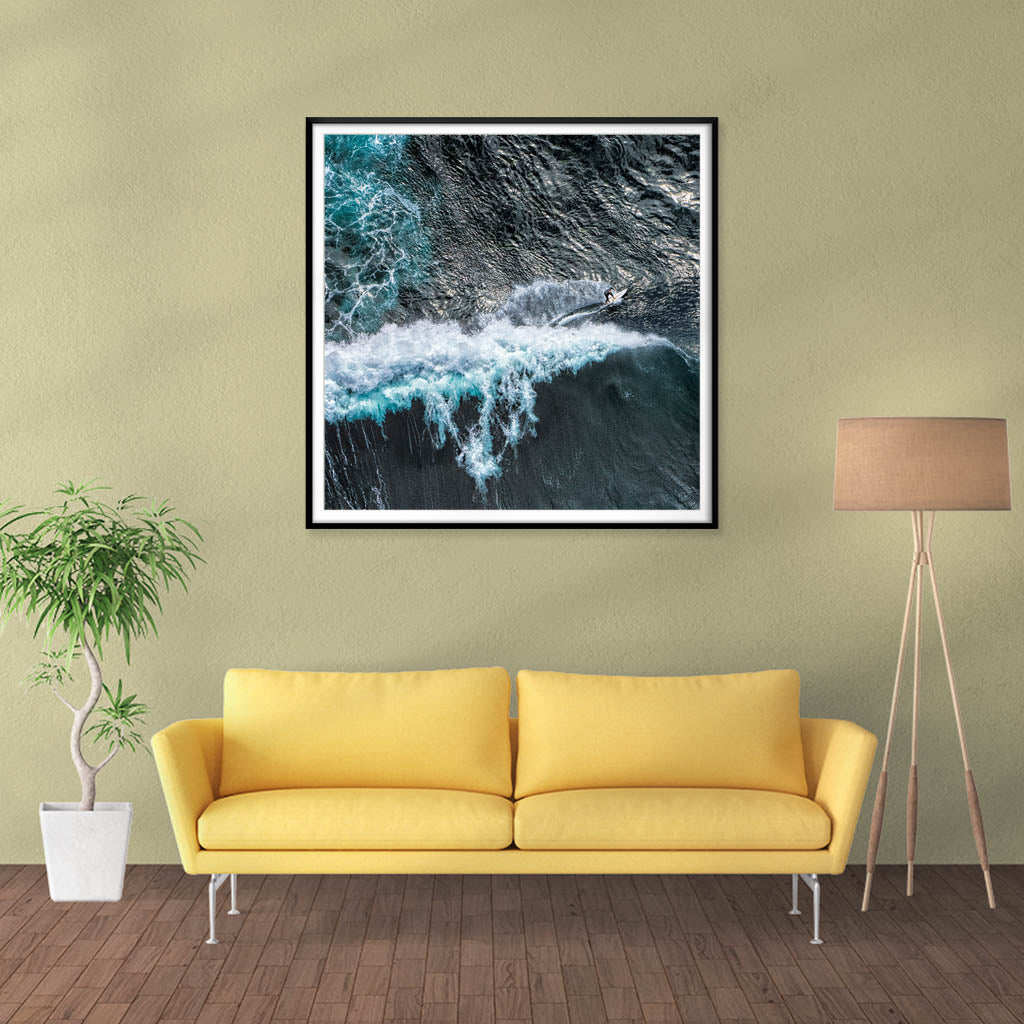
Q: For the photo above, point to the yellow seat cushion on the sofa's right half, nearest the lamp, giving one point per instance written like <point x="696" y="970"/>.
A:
<point x="670" y="820"/>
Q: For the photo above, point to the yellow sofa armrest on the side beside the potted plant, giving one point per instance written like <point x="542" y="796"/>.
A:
<point x="188" y="756"/>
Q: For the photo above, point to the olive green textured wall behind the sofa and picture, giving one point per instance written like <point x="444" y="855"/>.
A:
<point x="152" y="302"/>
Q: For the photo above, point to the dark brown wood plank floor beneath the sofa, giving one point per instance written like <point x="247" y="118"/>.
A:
<point x="558" y="949"/>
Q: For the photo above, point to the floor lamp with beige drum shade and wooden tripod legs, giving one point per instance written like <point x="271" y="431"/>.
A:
<point x="922" y="464"/>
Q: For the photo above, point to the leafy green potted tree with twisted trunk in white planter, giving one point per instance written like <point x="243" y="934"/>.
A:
<point x="82" y="572"/>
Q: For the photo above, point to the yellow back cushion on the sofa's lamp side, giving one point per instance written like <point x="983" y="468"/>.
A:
<point x="740" y="732"/>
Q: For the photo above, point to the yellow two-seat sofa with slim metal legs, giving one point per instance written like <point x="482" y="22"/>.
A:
<point x="426" y="774"/>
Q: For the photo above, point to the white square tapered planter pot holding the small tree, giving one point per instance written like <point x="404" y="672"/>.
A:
<point x="87" y="851"/>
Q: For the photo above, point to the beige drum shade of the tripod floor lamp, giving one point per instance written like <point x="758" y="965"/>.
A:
<point x="922" y="463"/>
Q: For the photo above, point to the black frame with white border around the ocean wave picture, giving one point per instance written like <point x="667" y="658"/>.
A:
<point x="319" y="518"/>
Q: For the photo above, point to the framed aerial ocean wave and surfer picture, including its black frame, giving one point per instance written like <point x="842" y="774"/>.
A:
<point x="511" y="323"/>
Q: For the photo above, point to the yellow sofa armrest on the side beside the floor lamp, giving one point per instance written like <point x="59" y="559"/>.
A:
<point x="838" y="756"/>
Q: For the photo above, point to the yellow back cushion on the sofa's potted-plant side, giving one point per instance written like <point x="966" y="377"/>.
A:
<point x="445" y="731"/>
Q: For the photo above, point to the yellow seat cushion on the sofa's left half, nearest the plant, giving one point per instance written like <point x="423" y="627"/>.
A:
<point x="358" y="820"/>
